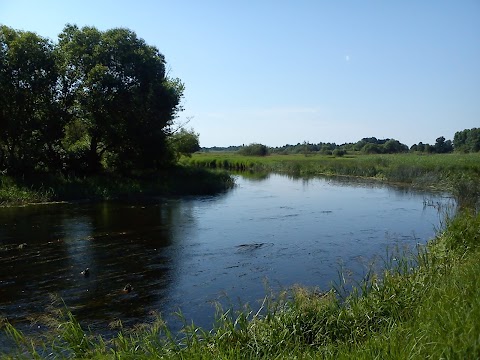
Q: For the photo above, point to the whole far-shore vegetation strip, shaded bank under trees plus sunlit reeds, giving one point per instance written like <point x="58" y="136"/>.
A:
<point x="456" y="173"/>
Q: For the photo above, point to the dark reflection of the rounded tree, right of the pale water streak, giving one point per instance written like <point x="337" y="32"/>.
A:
<point x="129" y="244"/>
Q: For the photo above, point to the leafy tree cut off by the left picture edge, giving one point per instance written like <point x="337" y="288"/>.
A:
<point x="30" y="118"/>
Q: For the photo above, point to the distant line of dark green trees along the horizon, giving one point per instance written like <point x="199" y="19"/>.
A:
<point x="464" y="141"/>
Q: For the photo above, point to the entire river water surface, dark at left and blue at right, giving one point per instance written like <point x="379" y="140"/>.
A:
<point x="186" y="253"/>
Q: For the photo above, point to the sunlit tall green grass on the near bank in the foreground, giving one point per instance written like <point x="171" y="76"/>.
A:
<point x="424" y="305"/>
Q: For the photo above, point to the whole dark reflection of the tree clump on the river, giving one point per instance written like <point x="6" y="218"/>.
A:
<point x="120" y="243"/>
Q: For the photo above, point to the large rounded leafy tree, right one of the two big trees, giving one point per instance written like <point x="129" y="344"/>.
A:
<point x="117" y="90"/>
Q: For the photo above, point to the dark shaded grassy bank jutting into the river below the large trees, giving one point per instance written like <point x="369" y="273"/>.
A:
<point x="180" y="180"/>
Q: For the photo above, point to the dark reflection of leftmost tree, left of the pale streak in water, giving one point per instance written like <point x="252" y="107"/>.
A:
<point x="33" y="257"/>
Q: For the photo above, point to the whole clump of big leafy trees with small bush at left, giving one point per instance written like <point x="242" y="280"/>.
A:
<point x="93" y="101"/>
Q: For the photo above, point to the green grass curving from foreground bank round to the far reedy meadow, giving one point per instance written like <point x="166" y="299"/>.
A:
<point x="424" y="305"/>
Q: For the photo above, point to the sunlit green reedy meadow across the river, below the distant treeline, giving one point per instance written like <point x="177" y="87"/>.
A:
<point x="422" y="170"/>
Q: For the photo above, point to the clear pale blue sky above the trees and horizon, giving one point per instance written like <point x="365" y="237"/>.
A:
<point x="280" y="72"/>
